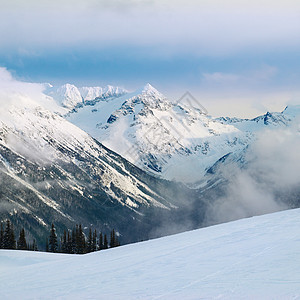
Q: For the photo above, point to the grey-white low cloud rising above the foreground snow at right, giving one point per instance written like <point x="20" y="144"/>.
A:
<point x="265" y="185"/>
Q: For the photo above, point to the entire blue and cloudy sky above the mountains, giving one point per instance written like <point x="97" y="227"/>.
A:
<point x="238" y="58"/>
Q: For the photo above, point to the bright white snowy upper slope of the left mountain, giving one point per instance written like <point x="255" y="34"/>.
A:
<point x="40" y="136"/>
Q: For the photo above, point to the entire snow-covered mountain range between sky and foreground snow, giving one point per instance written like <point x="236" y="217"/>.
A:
<point x="109" y="158"/>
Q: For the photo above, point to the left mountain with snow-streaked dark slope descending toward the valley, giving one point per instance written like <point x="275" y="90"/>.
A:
<point x="52" y="171"/>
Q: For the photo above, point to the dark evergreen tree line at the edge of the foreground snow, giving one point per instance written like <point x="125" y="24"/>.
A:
<point x="72" y="241"/>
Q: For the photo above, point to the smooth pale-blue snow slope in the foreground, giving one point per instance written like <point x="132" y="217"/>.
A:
<point x="255" y="258"/>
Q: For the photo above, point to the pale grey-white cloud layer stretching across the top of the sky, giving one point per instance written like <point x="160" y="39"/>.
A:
<point x="208" y="28"/>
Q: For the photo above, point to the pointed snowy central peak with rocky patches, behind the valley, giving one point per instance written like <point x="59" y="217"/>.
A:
<point x="175" y="141"/>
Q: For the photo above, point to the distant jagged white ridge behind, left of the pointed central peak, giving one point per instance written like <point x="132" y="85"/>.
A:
<point x="70" y="96"/>
